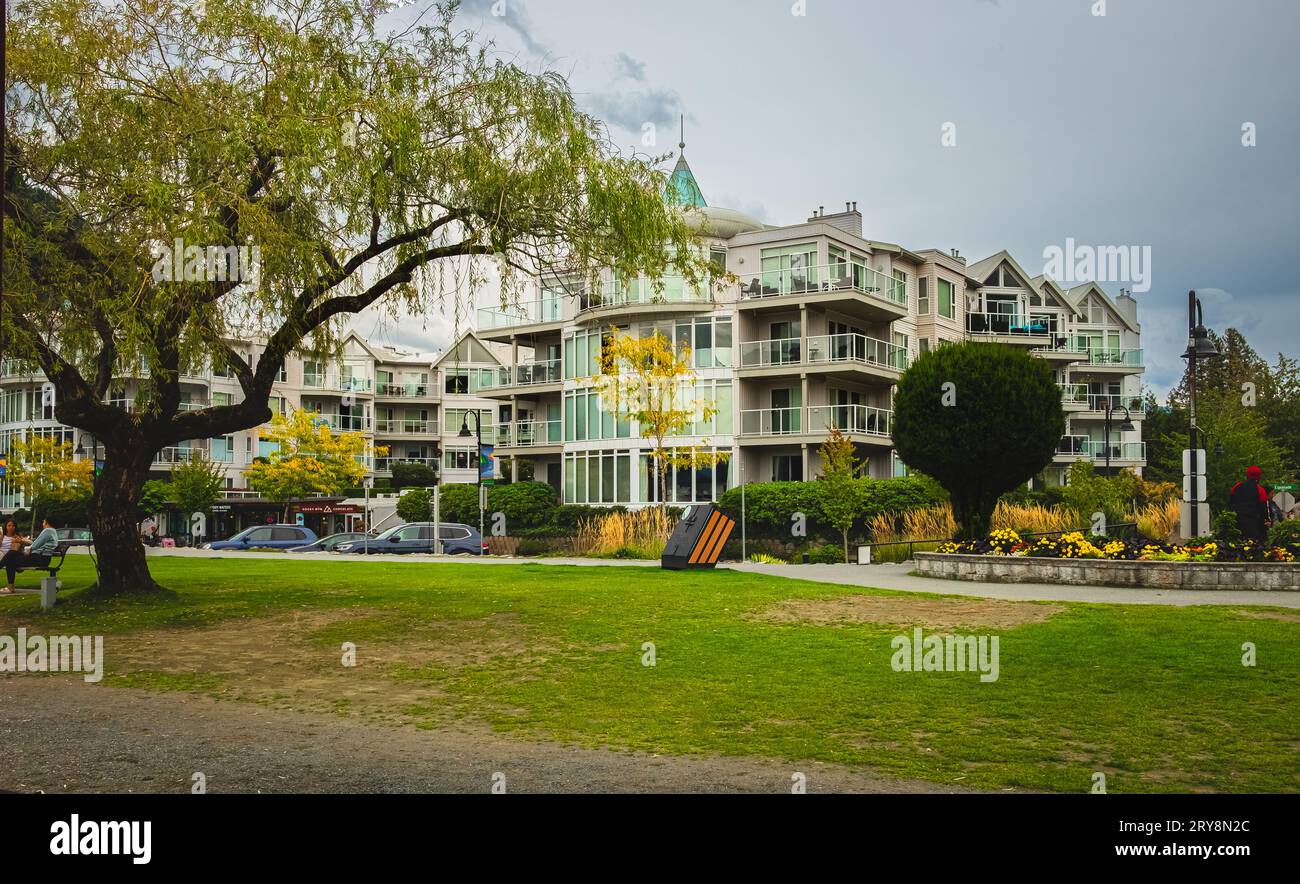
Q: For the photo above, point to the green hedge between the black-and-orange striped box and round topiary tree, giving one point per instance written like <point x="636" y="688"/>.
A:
<point x="770" y="506"/>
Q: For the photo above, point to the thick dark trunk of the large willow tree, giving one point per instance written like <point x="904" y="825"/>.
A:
<point x="119" y="552"/>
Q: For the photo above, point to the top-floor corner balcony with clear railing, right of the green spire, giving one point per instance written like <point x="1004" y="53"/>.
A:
<point x="879" y="297"/>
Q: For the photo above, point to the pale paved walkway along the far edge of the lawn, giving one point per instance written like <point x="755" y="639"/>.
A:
<point x="879" y="577"/>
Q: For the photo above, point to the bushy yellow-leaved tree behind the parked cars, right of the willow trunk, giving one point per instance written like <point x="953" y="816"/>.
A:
<point x="311" y="460"/>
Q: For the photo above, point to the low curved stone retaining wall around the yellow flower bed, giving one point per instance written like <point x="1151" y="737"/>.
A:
<point x="1108" y="573"/>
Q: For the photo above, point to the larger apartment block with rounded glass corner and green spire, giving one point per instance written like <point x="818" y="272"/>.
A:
<point x="814" y="336"/>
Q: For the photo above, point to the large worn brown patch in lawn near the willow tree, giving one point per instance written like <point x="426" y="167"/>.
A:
<point x="297" y="661"/>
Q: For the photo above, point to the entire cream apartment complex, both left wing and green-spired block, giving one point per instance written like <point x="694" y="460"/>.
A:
<point x="814" y="336"/>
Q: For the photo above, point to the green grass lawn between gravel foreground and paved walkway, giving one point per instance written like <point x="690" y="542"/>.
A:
<point x="1156" y="697"/>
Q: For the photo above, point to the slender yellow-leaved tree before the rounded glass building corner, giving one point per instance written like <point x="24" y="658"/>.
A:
<point x="652" y="383"/>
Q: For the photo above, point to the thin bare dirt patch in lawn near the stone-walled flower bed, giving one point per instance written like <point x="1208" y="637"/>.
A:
<point x="902" y="612"/>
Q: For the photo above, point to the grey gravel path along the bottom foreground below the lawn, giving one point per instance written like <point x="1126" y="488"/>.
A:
<point x="63" y="735"/>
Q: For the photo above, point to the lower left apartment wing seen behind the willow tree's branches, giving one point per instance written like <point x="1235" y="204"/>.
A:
<point x="410" y="408"/>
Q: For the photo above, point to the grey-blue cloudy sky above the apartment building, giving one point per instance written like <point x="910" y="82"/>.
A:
<point x="1117" y="129"/>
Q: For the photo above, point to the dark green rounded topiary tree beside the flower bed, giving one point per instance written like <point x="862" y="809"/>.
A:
<point x="981" y="419"/>
